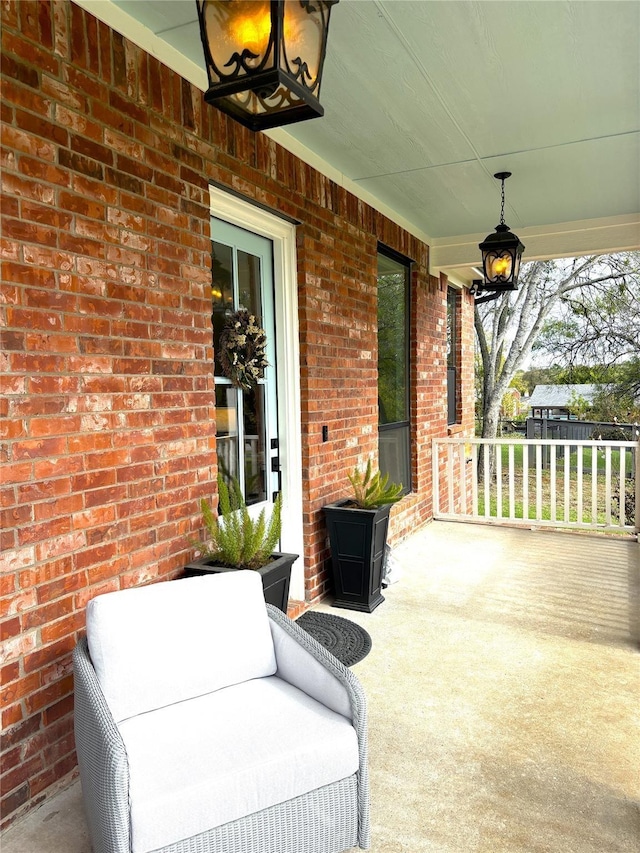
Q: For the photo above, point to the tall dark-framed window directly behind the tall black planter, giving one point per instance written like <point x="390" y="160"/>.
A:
<point x="394" y="429"/>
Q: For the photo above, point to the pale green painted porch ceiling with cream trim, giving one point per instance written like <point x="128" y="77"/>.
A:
<point x="425" y="100"/>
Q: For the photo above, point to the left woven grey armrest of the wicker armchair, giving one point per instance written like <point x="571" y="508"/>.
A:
<point x="102" y="758"/>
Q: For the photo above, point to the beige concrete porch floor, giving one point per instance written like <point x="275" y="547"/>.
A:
<point x="504" y="687"/>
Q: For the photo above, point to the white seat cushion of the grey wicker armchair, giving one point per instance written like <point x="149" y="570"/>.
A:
<point x="214" y="759"/>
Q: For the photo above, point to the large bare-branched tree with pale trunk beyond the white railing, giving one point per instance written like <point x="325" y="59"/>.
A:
<point x="508" y="328"/>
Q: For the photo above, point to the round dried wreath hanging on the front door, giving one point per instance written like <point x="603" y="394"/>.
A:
<point x="243" y="345"/>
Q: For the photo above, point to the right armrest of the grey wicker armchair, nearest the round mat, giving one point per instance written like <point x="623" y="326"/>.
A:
<point x="307" y="665"/>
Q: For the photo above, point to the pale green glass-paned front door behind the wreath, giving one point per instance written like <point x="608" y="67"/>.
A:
<point x="247" y="438"/>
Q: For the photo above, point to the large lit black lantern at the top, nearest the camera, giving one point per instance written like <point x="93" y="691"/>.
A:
<point x="264" y="58"/>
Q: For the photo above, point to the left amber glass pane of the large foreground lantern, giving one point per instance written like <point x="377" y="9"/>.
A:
<point x="238" y="34"/>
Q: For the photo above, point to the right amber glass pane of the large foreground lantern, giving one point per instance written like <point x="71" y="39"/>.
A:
<point x="303" y="41"/>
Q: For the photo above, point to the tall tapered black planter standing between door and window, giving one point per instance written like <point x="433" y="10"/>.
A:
<point x="357" y="538"/>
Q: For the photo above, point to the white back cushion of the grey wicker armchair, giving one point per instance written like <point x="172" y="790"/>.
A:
<point x="155" y="645"/>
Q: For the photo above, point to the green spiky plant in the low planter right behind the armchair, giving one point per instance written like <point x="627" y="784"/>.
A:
<point x="236" y="539"/>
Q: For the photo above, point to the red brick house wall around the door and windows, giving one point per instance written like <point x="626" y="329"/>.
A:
<point x="107" y="408"/>
